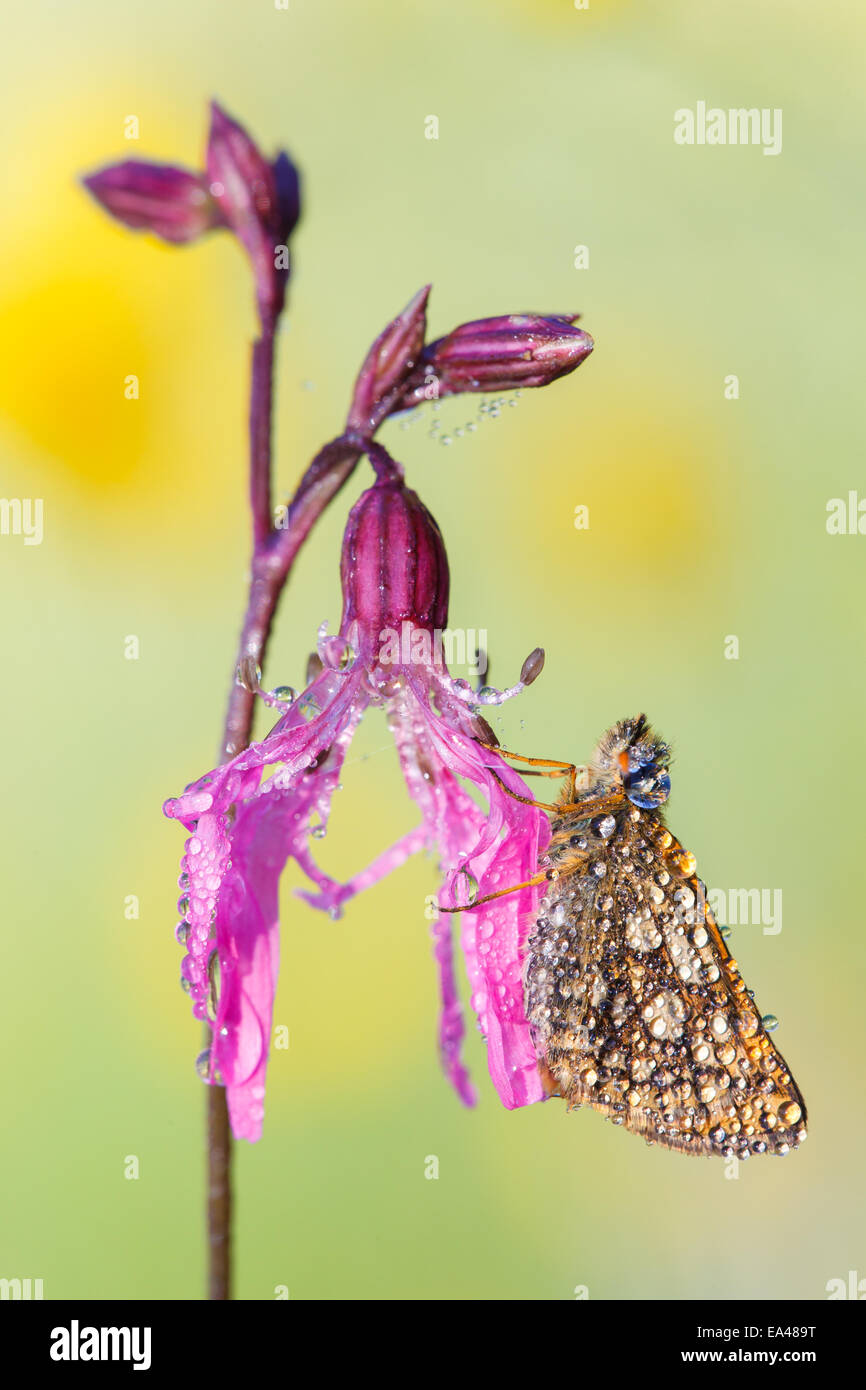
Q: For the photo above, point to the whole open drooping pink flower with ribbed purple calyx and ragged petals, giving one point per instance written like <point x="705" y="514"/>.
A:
<point x="244" y="829"/>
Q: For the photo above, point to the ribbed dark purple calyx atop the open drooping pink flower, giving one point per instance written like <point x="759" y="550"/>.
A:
<point x="394" y="569"/>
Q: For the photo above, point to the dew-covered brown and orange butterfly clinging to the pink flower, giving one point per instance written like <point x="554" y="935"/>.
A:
<point x="636" y="1004"/>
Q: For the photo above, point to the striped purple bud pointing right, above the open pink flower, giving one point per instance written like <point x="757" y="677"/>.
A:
<point x="498" y="355"/>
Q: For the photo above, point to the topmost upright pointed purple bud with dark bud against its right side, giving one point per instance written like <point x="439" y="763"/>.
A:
<point x="261" y="204"/>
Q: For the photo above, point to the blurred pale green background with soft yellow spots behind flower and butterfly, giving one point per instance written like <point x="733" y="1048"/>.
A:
<point x="708" y="519"/>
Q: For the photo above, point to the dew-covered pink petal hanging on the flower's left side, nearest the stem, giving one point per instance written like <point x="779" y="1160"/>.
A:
<point x="231" y="875"/>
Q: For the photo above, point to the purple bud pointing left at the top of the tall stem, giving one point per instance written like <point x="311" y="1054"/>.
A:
<point x="158" y="198"/>
